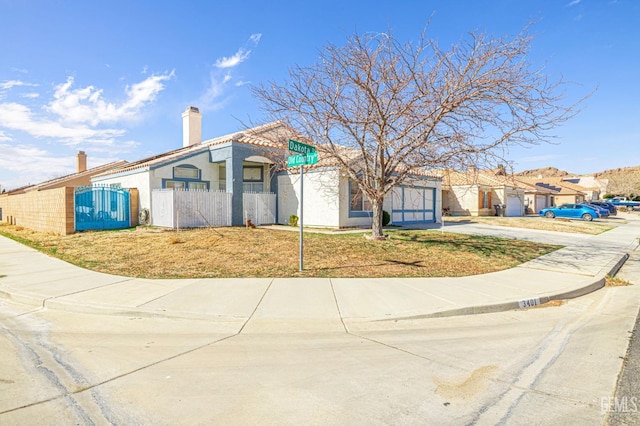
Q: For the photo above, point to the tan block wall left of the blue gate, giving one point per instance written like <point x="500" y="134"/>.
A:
<point x="49" y="210"/>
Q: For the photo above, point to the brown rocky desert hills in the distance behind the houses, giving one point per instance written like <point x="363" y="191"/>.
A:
<point x="622" y="181"/>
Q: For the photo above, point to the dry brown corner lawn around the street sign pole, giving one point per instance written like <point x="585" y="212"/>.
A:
<point x="241" y="252"/>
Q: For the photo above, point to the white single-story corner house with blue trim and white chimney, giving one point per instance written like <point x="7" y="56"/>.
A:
<point x="252" y="161"/>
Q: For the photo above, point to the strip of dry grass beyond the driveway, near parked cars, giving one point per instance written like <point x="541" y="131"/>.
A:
<point x="541" y="223"/>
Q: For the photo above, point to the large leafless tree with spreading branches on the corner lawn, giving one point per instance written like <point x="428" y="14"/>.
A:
<point x="383" y="109"/>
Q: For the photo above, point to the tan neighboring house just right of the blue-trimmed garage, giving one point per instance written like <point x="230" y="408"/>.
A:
<point x="477" y="193"/>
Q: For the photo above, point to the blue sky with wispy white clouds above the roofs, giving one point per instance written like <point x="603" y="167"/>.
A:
<point x="112" y="77"/>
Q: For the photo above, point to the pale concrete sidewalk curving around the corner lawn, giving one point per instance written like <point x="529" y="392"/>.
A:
<point x="30" y="277"/>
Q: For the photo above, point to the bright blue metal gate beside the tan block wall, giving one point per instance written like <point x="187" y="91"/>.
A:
<point x="101" y="207"/>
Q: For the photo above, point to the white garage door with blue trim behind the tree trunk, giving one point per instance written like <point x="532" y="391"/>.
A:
<point x="413" y="205"/>
